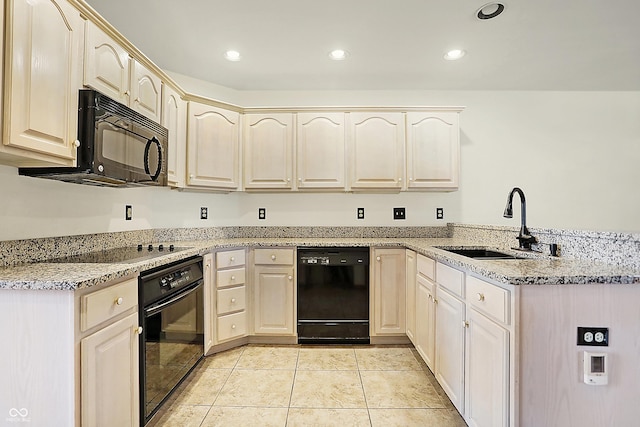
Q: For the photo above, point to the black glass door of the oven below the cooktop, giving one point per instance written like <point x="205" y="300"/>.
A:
<point x="172" y="343"/>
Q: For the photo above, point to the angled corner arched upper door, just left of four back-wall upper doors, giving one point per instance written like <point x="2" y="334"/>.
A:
<point x="213" y="147"/>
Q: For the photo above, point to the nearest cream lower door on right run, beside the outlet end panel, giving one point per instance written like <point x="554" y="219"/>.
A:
<point x="486" y="372"/>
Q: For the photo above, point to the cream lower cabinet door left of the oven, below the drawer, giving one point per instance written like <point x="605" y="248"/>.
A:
<point x="109" y="378"/>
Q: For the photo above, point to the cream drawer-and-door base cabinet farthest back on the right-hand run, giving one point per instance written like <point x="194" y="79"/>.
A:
<point x="425" y="331"/>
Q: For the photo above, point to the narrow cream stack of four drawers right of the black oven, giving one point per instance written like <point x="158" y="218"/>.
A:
<point x="230" y="295"/>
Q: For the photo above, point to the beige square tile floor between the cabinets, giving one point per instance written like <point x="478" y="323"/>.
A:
<point x="258" y="385"/>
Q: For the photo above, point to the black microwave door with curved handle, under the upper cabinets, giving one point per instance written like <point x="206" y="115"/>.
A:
<point x="125" y="150"/>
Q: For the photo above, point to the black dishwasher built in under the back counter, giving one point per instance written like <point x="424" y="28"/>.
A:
<point x="333" y="295"/>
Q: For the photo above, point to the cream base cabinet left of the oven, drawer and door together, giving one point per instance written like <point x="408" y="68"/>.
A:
<point x="109" y="355"/>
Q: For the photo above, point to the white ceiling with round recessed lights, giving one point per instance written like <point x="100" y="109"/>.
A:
<point x="392" y="44"/>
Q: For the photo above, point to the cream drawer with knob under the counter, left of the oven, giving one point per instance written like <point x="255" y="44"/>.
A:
<point x="102" y="305"/>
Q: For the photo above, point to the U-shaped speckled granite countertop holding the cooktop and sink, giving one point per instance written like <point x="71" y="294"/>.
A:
<point x="533" y="269"/>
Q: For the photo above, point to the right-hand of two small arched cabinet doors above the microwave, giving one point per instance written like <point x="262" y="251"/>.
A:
<point x="146" y="92"/>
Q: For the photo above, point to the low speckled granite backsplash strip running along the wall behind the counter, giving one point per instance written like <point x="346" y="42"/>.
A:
<point x="613" y="248"/>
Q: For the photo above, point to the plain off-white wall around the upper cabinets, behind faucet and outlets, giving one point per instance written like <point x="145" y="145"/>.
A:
<point x="575" y="154"/>
